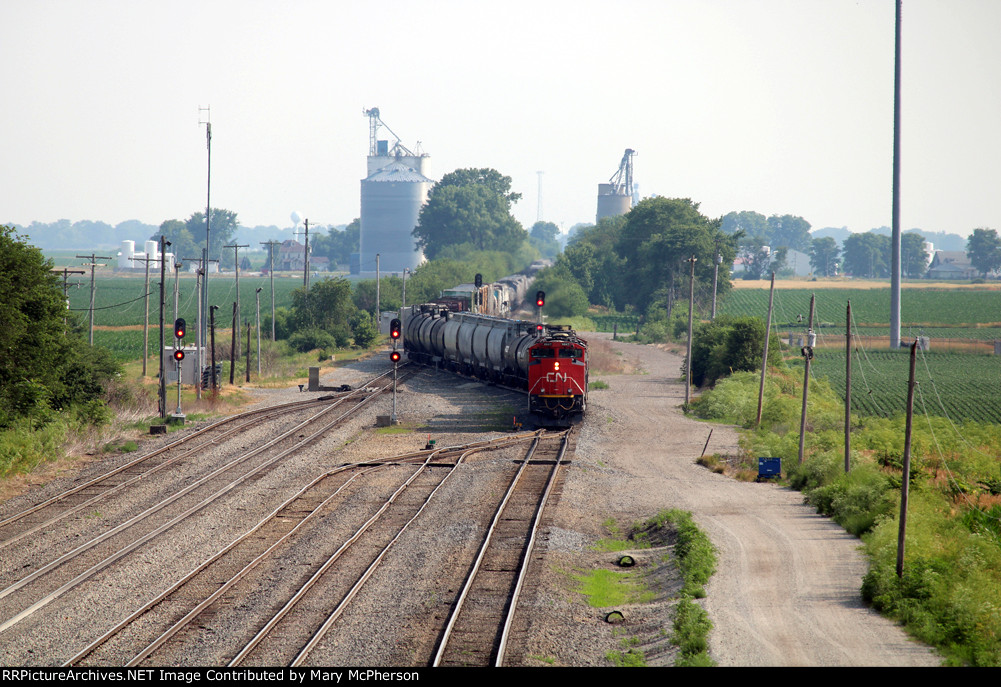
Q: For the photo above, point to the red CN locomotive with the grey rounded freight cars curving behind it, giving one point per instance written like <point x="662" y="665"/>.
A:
<point x="549" y="362"/>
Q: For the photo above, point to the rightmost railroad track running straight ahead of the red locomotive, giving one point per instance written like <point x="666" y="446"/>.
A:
<point x="482" y="619"/>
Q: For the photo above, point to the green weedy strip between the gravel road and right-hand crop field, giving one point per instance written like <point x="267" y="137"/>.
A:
<point x="950" y="590"/>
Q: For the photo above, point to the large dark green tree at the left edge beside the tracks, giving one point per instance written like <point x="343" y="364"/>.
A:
<point x="46" y="366"/>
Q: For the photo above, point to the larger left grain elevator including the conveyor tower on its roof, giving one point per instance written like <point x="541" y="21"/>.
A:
<point x="392" y="197"/>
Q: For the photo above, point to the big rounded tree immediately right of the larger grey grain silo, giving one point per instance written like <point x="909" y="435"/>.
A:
<point x="470" y="207"/>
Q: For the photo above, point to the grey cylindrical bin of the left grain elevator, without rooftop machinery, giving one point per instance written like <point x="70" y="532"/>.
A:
<point x="391" y="205"/>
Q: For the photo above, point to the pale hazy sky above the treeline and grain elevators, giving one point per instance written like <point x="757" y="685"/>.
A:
<point x="768" y="106"/>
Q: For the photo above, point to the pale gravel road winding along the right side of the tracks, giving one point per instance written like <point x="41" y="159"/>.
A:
<point x="787" y="589"/>
